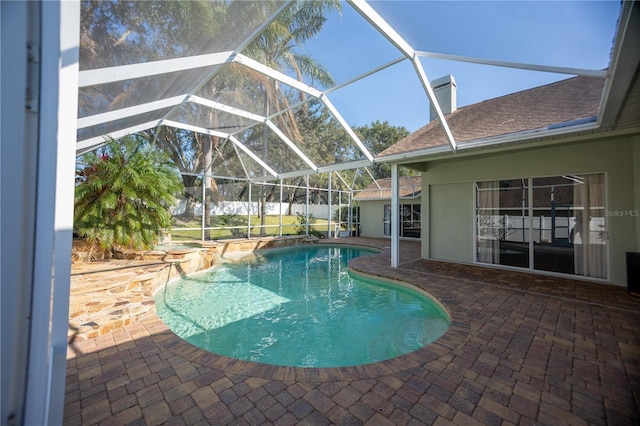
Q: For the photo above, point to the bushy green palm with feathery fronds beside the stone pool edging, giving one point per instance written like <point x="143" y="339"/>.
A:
<point x="124" y="194"/>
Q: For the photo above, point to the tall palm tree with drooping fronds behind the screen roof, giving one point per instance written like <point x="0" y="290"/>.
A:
<point x="276" y="48"/>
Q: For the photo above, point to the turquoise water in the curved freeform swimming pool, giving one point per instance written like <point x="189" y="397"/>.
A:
<point x="300" y="307"/>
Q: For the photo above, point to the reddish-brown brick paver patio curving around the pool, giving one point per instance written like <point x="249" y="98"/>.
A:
<point x="522" y="349"/>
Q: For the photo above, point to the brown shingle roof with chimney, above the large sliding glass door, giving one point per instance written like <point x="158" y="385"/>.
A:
<point x="565" y="101"/>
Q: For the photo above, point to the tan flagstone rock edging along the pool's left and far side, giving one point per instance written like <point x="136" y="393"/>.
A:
<point x="113" y="293"/>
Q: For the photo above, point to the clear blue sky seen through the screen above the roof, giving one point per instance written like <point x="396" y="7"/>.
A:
<point x="560" y="33"/>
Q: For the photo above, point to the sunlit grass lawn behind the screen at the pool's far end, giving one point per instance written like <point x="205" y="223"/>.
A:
<point x="289" y="225"/>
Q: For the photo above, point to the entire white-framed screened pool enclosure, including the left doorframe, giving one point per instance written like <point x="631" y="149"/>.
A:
<point x="260" y="103"/>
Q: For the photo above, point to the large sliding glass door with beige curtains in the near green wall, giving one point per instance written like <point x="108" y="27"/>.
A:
<point x="554" y="224"/>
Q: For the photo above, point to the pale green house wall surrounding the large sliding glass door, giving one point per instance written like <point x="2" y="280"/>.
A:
<point x="450" y="185"/>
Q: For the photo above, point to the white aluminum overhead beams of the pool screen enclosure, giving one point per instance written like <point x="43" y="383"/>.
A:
<point x="221" y="59"/>
